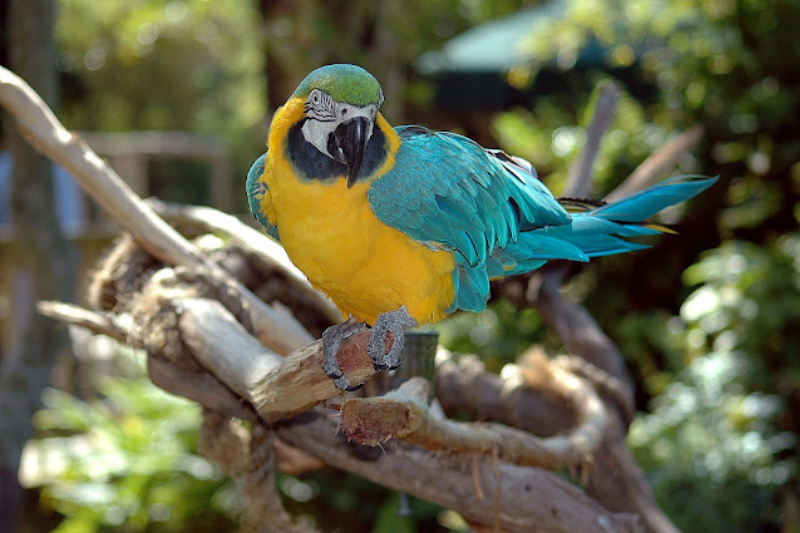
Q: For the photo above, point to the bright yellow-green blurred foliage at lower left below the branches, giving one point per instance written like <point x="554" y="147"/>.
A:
<point x="127" y="462"/>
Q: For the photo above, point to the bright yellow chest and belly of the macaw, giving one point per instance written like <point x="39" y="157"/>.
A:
<point x="366" y="267"/>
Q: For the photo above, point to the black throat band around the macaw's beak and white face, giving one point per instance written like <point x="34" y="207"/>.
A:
<point x="314" y="165"/>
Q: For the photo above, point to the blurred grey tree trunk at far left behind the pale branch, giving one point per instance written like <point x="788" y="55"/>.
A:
<point x="45" y="260"/>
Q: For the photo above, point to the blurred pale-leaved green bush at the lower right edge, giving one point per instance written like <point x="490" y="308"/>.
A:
<point x="721" y="433"/>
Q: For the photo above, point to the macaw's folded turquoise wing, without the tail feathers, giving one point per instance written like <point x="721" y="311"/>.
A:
<point x="467" y="202"/>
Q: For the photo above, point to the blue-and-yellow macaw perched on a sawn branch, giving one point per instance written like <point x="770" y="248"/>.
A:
<point x="403" y="226"/>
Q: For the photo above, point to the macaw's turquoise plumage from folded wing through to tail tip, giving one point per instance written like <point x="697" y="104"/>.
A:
<point x="498" y="219"/>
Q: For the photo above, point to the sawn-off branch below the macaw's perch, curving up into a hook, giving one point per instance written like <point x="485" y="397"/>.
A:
<point x="404" y="414"/>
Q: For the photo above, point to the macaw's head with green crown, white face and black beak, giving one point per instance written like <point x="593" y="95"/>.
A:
<point x="341" y="106"/>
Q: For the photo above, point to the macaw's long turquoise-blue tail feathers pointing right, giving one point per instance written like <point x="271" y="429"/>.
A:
<point x="599" y="231"/>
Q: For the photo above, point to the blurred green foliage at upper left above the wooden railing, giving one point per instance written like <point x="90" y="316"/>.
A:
<point x="188" y="65"/>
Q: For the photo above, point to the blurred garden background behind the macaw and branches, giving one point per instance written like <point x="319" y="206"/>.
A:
<point x="178" y="95"/>
